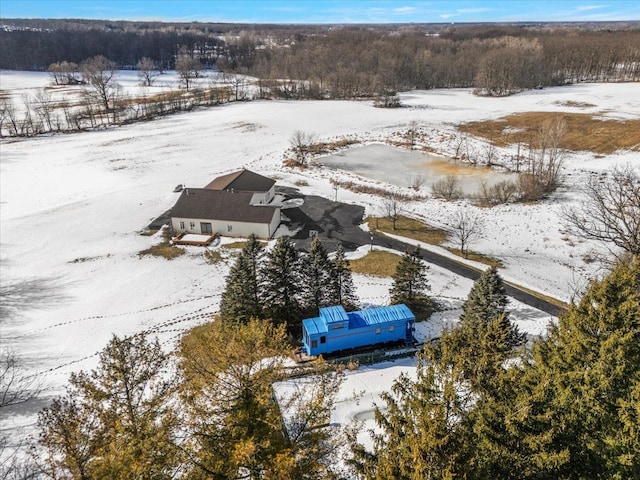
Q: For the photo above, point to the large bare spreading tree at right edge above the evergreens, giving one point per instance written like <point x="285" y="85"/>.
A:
<point x="610" y="211"/>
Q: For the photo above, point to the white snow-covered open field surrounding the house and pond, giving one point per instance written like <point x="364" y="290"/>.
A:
<point x="72" y="207"/>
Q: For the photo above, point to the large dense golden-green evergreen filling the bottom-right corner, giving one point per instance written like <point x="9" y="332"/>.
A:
<point x="581" y="388"/>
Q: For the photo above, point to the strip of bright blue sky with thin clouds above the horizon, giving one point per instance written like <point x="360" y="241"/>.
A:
<point x="326" y="11"/>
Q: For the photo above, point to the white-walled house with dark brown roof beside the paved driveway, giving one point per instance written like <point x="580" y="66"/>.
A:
<point x="234" y="205"/>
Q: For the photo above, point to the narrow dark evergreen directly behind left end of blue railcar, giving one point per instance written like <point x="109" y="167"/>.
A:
<point x="317" y="274"/>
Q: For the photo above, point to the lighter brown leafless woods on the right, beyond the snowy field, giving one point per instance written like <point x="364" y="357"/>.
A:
<point x="362" y="62"/>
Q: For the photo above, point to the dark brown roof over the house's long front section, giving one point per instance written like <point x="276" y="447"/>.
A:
<point x="220" y="205"/>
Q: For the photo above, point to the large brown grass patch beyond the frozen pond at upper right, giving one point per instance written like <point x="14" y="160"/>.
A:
<point x="584" y="132"/>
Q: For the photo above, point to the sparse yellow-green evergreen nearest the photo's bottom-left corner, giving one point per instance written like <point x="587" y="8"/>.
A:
<point x="116" y="422"/>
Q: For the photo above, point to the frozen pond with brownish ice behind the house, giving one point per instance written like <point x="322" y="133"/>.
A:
<point x="401" y="167"/>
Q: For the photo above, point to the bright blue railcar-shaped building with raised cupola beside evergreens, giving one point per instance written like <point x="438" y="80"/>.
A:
<point x="336" y="329"/>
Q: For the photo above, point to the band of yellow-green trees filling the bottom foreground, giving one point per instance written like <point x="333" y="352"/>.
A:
<point x="481" y="406"/>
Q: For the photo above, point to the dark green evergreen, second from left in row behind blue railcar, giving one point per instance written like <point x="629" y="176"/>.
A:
<point x="280" y="283"/>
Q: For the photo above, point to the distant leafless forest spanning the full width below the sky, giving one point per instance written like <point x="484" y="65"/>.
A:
<point x="346" y="61"/>
